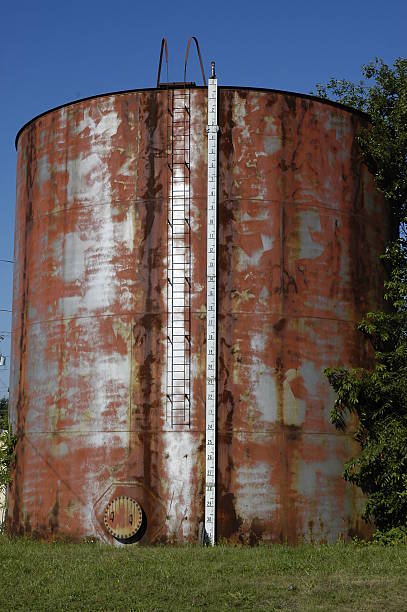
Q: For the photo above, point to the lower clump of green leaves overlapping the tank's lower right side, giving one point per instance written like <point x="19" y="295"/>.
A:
<point x="379" y="399"/>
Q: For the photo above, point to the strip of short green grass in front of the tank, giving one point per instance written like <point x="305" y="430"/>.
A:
<point x="57" y="576"/>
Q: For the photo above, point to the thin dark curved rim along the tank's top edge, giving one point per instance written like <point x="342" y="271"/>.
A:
<point x="349" y="109"/>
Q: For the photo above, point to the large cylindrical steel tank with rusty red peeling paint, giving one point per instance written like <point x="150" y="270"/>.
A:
<point x="301" y="227"/>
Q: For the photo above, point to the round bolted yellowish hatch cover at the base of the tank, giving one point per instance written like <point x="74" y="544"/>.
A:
<point x="123" y="517"/>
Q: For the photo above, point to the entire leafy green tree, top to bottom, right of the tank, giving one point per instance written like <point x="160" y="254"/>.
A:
<point x="379" y="396"/>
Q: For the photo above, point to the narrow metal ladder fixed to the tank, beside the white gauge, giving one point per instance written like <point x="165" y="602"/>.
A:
<point x="178" y="410"/>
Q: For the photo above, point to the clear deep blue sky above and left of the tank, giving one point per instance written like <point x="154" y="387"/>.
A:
<point x="54" y="52"/>
